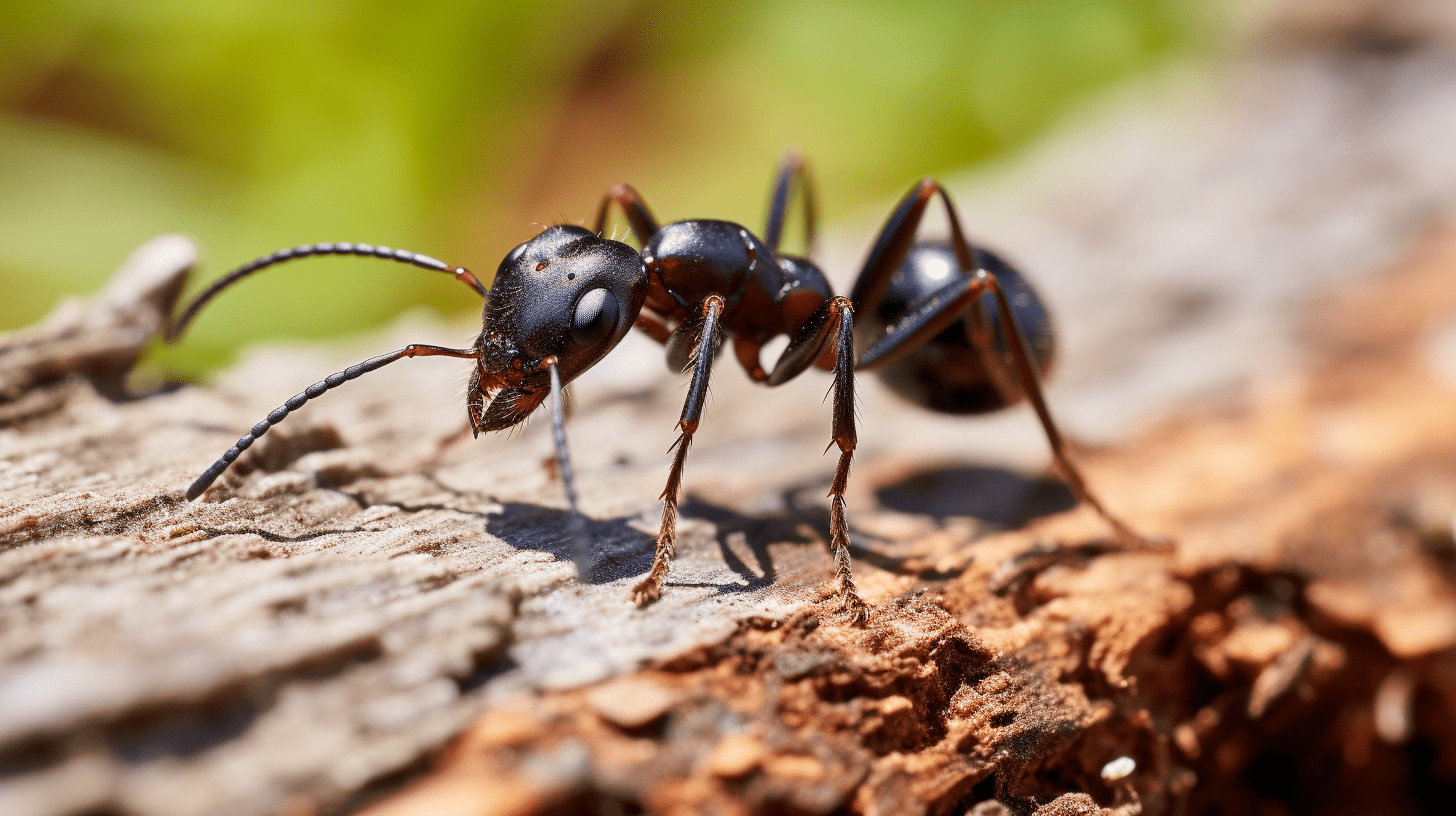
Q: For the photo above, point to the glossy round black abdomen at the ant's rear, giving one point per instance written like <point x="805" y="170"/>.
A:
<point x="947" y="374"/>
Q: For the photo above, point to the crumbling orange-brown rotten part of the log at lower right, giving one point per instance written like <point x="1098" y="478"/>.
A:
<point x="1301" y="646"/>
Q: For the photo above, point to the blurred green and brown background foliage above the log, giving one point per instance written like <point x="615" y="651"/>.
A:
<point x="456" y="129"/>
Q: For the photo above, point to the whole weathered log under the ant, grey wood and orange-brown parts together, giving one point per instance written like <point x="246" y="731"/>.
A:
<point x="368" y="582"/>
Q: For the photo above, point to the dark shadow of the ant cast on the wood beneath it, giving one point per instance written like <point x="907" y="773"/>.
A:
<point x="622" y="552"/>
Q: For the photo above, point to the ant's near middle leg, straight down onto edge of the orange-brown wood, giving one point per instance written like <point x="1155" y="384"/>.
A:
<point x="834" y="321"/>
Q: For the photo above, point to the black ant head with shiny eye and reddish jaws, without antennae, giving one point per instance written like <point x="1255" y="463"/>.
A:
<point x="567" y="294"/>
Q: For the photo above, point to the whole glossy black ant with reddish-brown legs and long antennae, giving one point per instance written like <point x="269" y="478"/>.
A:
<point x="949" y="326"/>
